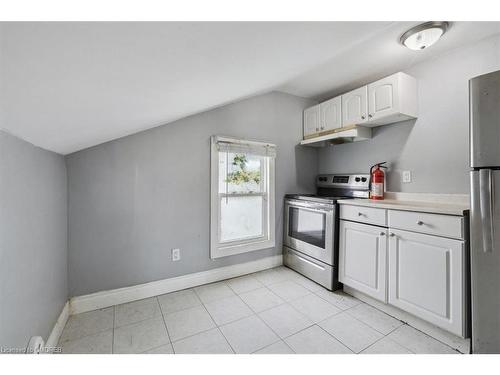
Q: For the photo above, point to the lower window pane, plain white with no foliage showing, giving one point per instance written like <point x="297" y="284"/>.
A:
<point x="241" y="218"/>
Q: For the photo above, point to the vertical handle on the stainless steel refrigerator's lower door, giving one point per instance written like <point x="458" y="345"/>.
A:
<point x="486" y="208"/>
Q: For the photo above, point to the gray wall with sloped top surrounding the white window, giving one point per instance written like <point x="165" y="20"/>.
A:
<point x="134" y="199"/>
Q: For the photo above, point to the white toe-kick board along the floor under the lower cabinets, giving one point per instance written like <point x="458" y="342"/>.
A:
<point x="456" y="342"/>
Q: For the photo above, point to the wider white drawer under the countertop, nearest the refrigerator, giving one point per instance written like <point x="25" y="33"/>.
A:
<point x="439" y="225"/>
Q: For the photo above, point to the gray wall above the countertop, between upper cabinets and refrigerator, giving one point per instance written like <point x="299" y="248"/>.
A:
<point x="435" y="147"/>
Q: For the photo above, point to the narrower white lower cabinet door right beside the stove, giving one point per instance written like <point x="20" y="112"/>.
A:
<point x="362" y="258"/>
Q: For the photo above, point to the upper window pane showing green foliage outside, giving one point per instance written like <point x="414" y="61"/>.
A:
<point x="240" y="173"/>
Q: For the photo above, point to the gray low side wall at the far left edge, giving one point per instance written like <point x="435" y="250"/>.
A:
<point x="33" y="240"/>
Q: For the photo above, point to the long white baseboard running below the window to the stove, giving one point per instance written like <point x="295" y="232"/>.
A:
<point x="113" y="297"/>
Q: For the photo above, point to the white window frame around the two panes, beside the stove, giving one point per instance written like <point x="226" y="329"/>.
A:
<point x="220" y="249"/>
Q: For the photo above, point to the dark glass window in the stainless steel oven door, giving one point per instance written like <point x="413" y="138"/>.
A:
<point x="307" y="226"/>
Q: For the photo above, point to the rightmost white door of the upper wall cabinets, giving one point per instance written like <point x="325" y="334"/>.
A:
<point x="383" y="98"/>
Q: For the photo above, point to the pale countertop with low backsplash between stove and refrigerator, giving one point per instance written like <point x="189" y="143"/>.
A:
<point x="433" y="203"/>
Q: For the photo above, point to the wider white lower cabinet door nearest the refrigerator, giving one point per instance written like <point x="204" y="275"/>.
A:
<point x="426" y="278"/>
